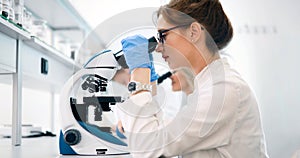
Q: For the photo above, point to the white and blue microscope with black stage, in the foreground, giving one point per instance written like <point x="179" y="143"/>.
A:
<point x="78" y="136"/>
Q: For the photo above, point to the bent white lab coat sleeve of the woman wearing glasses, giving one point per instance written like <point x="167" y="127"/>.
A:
<point x="205" y="123"/>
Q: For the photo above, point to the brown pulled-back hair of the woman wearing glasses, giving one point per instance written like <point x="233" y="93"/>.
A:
<point x="208" y="13"/>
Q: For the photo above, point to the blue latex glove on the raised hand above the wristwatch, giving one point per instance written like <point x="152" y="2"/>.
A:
<point x="135" y="50"/>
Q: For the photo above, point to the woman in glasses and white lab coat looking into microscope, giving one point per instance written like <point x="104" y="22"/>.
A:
<point x="221" y="118"/>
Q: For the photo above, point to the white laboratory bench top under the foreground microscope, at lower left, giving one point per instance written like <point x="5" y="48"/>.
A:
<point x="43" y="147"/>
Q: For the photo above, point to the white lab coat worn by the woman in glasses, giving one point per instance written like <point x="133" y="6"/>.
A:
<point x="221" y="120"/>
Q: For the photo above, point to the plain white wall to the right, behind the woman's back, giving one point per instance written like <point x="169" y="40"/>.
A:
<point x="266" y="51"/>
